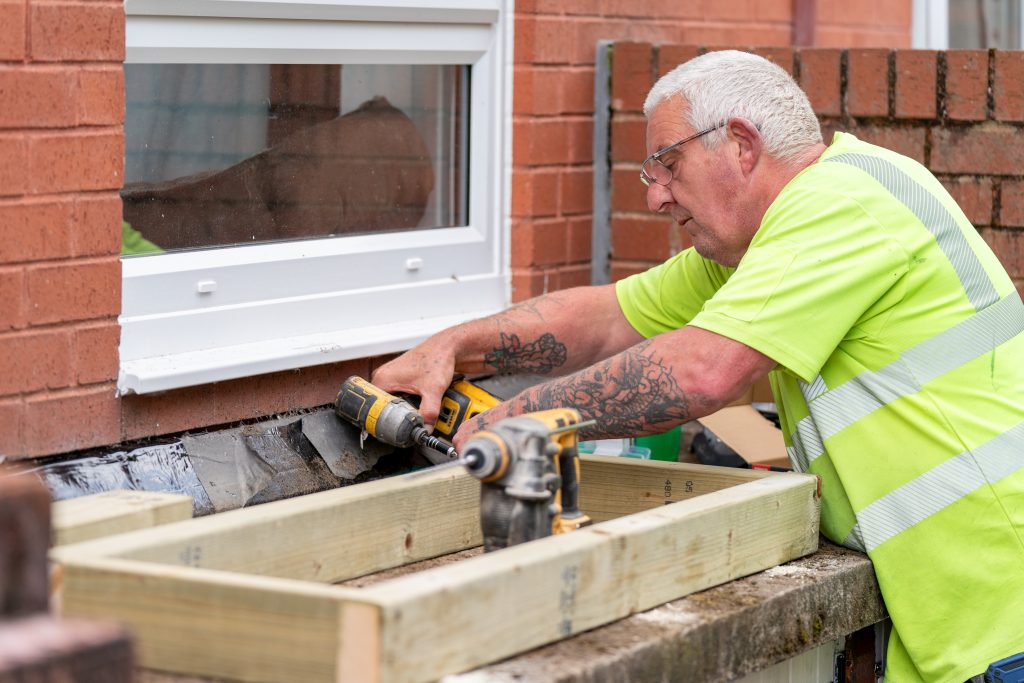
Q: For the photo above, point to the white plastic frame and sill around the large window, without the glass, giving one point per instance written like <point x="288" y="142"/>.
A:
<point x="195" y="318"/>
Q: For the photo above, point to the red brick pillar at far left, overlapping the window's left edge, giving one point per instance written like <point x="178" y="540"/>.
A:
<point x="62" y="157"/>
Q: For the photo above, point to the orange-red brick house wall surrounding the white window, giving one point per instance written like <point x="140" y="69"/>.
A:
<point x="62" y="156"/>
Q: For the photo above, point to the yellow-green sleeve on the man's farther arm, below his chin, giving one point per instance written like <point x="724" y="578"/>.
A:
<point x="668" y="296"/>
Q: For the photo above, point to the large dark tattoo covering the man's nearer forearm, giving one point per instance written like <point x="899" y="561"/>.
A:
<point x="629" y="395"/>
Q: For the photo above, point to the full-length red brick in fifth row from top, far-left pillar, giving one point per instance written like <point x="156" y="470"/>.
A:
<point x="74" y="291"/>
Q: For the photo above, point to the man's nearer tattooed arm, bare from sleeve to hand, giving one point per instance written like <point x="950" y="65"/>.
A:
<point x="648" y="389"/>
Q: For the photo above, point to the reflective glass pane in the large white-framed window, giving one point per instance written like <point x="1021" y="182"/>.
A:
<point x="224" y="155"/>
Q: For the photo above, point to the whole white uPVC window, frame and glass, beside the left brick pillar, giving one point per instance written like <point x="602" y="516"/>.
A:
<point x="309" y="182"/>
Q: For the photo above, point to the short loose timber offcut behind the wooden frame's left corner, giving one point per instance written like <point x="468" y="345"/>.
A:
<point x="113" y="513"/>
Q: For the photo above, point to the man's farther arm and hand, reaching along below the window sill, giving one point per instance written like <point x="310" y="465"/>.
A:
<point x="554" y="334"/>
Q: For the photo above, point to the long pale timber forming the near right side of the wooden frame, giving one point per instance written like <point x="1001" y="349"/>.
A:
<point x="486" y="609"/>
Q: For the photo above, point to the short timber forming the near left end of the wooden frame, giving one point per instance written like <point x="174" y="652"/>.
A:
<point x="214" y="623"/>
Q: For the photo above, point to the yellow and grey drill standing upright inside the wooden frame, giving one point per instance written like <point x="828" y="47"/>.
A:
<point x="530" y="471"/>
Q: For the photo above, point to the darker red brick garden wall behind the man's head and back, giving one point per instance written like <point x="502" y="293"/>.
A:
<point x="961" y="113"/>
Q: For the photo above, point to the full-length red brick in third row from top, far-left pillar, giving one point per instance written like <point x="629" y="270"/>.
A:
<point x="74" y="161"/>
